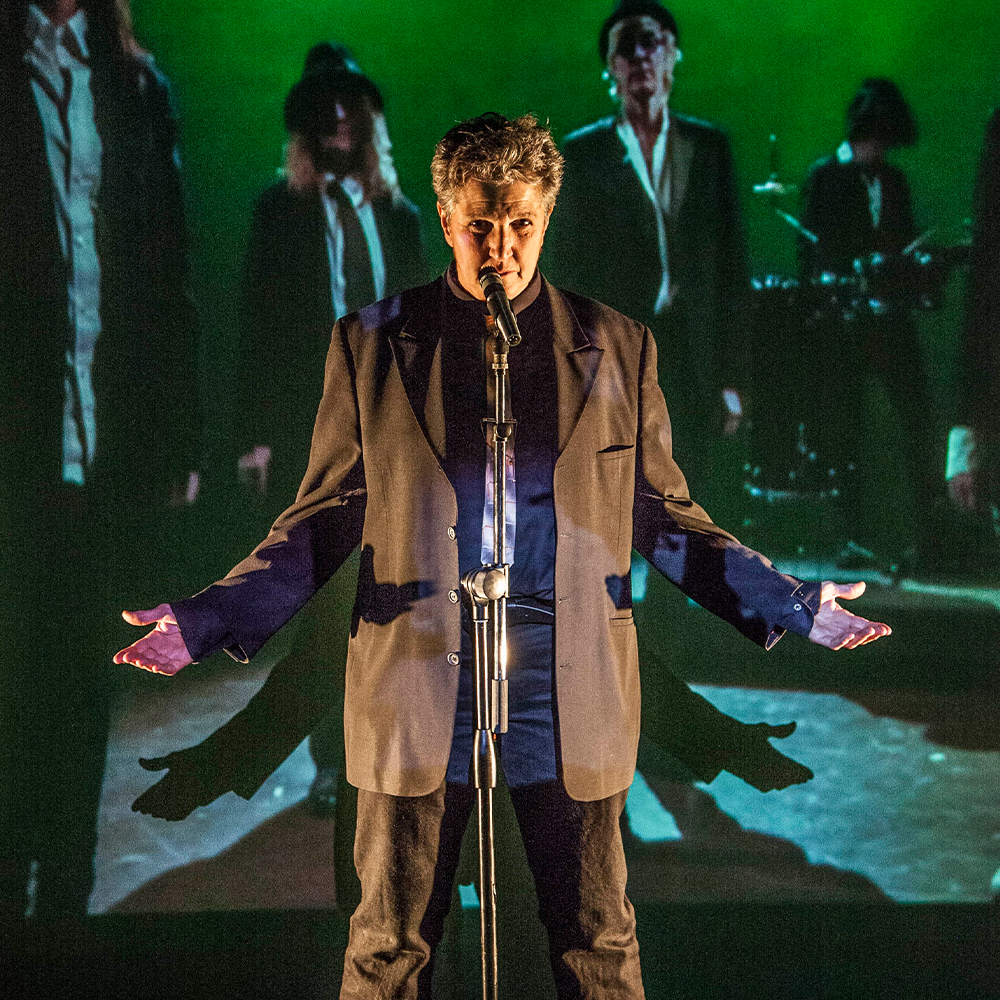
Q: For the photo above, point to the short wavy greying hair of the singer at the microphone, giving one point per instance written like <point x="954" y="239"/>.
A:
<point x="496" y="150"/>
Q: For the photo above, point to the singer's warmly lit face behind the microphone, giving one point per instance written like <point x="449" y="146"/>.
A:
<point x="498" y="224"/>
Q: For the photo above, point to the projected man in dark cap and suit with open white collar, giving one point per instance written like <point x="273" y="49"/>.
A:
<point x="649" y="222"/>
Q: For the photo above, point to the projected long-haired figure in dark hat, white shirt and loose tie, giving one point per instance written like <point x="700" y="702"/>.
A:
<point x="334" y="235"/>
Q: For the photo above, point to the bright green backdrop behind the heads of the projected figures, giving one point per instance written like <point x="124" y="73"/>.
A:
<point x="786" y="68"/>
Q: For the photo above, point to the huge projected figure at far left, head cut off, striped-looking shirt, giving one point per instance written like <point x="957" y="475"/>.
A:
<point x="96" y="332"/>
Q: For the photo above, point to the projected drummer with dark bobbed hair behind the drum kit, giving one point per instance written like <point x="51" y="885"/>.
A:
<point x="858" y="206"/>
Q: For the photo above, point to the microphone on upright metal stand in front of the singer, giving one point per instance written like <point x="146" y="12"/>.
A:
<point x="486" y="590"/>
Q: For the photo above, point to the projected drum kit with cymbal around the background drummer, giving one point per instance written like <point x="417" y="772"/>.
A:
<point x="790" y="477"/>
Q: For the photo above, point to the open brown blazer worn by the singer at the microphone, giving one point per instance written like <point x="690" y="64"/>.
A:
<point x="375" y="477"/>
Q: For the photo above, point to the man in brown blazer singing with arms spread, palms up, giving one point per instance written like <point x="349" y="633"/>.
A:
<point x="398" y="465"/>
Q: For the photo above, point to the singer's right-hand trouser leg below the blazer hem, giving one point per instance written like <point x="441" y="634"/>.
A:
<point x="580" y="879"/>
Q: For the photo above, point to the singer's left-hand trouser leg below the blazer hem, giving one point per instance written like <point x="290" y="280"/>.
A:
<point x="406" y="853"/>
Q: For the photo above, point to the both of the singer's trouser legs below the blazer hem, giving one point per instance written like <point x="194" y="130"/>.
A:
<point x="407" y="853"/>
